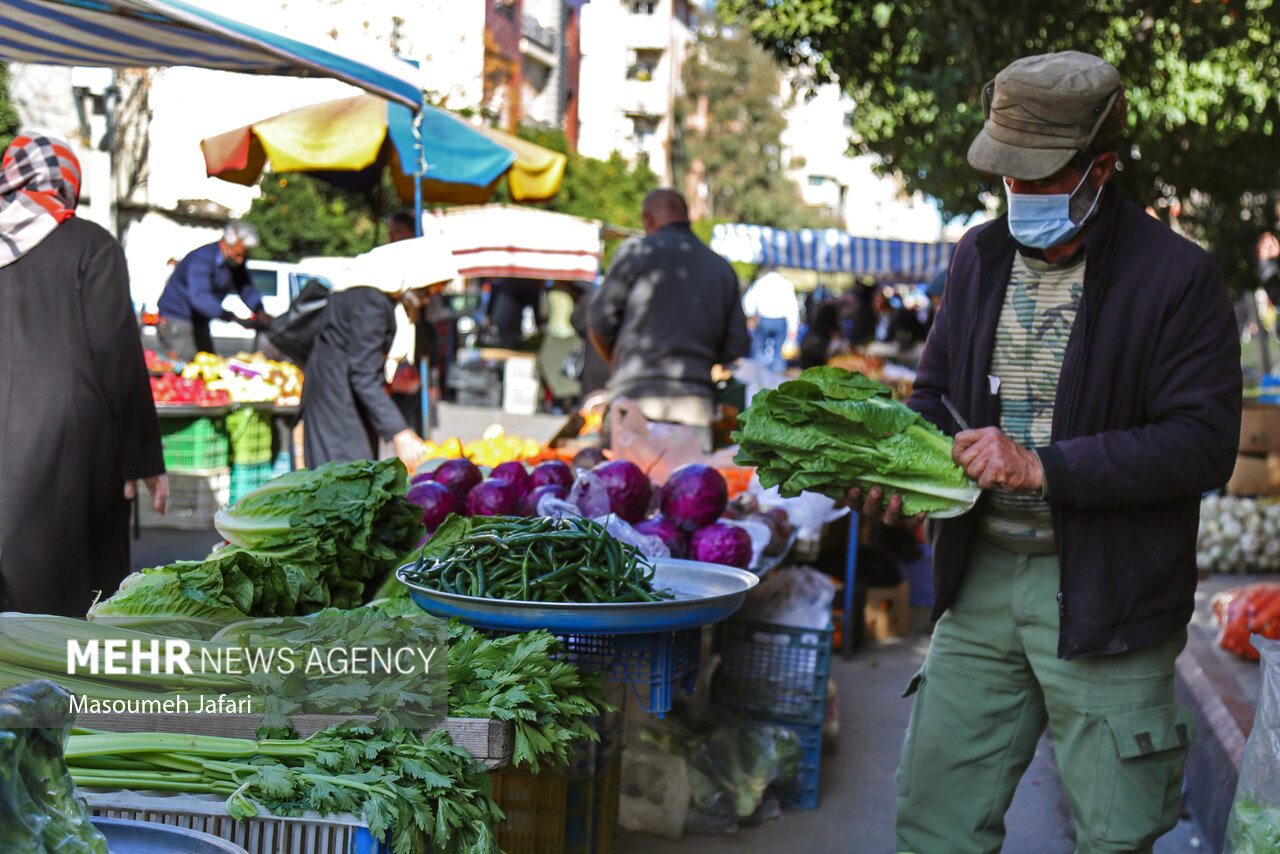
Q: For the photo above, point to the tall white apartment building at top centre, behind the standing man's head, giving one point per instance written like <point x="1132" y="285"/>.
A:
<point x="630" y="75"/>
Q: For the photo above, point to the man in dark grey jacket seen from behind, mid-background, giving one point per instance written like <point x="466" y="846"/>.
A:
<point x="669" y="310"/>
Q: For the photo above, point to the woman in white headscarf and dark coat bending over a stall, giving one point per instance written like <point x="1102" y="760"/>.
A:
<point x="346" y="407"/>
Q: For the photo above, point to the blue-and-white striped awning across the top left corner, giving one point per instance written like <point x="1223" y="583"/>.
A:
<point x="131" y="34"/>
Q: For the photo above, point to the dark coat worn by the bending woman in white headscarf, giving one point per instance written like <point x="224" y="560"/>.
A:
<point x="345" y="401"/>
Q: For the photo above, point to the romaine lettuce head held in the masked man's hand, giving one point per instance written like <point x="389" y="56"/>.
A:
<point x="833" y="430"/>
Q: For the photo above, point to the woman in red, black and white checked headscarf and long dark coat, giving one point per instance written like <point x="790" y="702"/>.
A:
<point x="77" y="423"/>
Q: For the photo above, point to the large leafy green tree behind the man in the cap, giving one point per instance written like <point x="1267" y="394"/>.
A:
<point x="1203" y="81"/>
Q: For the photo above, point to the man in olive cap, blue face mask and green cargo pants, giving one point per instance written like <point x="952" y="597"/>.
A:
<point x="1096" y="358"/>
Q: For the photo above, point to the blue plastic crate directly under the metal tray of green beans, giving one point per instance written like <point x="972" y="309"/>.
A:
<point x="653" y="664"/>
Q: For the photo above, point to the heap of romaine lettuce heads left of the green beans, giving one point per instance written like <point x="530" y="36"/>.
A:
<point x="304" y="542"/>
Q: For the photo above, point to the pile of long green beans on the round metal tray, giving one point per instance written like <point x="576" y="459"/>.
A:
<point x="541" y="560"/>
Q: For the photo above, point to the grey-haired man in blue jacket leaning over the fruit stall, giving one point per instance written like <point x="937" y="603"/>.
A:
<point x="195" y="294"/>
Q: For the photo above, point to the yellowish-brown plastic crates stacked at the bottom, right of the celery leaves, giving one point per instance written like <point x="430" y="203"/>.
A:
<point x="572" y="811"/>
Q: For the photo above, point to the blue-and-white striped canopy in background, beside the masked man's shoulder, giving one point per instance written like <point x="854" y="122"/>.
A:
<point x="830" y="250"/>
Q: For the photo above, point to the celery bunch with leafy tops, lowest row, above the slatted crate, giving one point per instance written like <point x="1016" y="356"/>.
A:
<point x="420" y="793"/>
